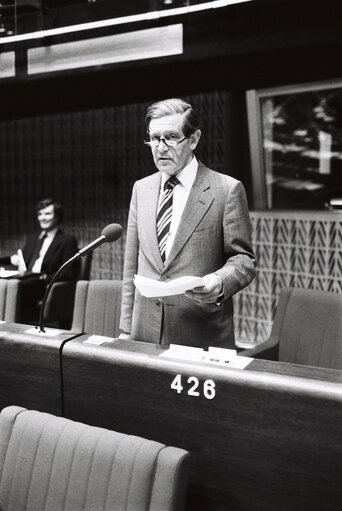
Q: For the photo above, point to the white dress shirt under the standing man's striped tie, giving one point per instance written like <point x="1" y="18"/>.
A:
<point x="181" y="193"/>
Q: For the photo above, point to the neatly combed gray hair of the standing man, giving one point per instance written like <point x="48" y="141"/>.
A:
<point x="170" y="107"/>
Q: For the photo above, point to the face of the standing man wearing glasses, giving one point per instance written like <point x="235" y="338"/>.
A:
<point x="172" y="160"/>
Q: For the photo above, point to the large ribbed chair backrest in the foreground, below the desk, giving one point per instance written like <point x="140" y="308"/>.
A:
<point x="52" y="463"/>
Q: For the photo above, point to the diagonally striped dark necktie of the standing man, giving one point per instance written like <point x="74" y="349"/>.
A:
<point x="165" y="213"/>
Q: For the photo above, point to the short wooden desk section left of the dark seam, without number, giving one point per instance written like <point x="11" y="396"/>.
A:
<point x="30" y="373"/>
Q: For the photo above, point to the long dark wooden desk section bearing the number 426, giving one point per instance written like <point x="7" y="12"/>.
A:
<point x="270" y="439"/>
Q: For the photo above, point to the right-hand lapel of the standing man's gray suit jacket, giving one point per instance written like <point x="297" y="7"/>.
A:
<point x="198" y="203"/>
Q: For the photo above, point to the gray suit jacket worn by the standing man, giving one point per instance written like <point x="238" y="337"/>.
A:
<point x="214" y="235"/>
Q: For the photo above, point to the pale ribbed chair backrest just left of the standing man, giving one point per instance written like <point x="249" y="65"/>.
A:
<point x="97" y="307"/>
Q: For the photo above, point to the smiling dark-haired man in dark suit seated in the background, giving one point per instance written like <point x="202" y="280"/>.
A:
<point x="44" y="253"/>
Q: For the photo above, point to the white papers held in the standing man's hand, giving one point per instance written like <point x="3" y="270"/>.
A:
<point x="152" y="288"/>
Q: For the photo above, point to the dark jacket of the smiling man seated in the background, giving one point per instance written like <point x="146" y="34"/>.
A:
<point x="62" y="248"/>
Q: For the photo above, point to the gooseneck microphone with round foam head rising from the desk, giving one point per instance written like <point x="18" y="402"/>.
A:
<point x="110" y="233"/>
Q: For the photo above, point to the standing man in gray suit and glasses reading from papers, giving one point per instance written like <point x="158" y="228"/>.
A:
<point x="185" y="220"/>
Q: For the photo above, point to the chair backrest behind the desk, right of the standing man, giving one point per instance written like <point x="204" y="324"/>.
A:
<point x="308" y="324"/>
